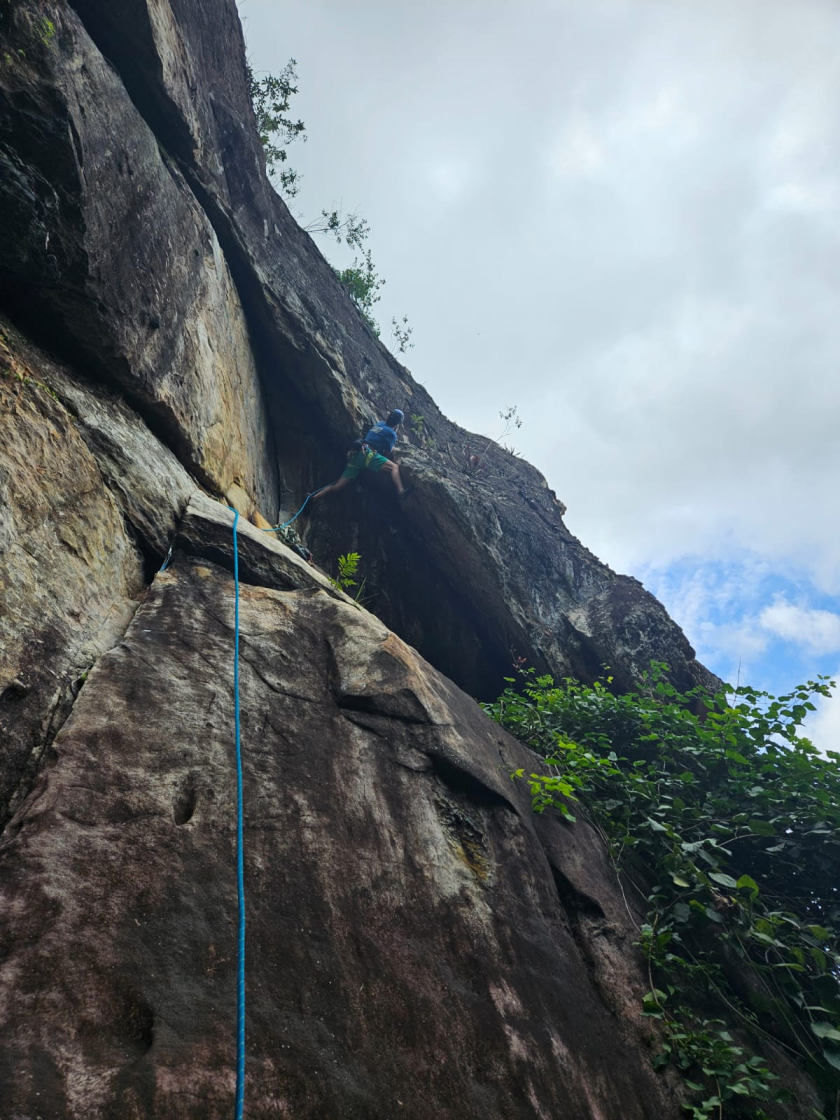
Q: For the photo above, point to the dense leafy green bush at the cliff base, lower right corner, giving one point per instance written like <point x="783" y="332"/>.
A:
<point x="726" y="822"/>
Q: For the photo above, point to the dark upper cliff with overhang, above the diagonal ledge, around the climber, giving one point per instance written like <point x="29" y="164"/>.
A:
<point x="481" y="565"/>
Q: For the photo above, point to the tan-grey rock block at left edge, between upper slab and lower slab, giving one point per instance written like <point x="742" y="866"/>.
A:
<point x="87" y="492"/>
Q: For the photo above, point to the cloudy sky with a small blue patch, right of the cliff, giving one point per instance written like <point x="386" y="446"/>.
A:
<point x="622" y="217"/>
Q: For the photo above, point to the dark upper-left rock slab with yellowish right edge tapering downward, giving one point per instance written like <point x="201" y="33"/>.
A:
<point x="107" y="253"/>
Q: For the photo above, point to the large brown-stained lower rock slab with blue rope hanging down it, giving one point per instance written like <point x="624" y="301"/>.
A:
<point x="408" y="951"/>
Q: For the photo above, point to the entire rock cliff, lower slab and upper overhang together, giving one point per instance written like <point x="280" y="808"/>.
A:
<point x="173" y="344"/>
